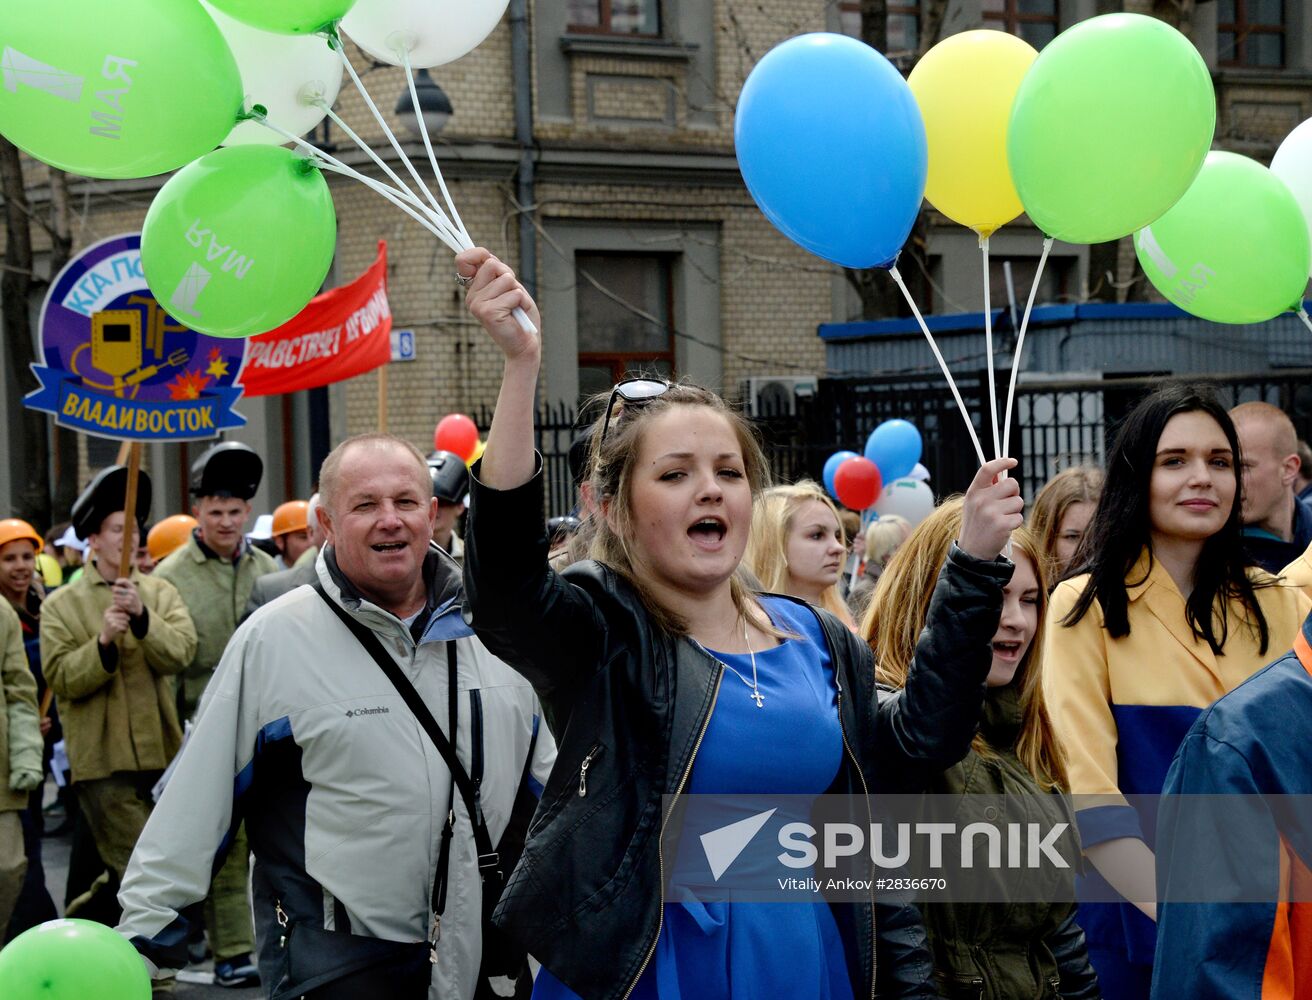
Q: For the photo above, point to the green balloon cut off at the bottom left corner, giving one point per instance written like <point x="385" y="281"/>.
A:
<point x="73" y="960"/>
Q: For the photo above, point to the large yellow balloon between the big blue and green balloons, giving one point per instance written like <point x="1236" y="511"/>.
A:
<point x="965" y="87"/>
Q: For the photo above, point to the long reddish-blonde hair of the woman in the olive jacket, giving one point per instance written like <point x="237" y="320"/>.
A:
<point x="897" y="619"/>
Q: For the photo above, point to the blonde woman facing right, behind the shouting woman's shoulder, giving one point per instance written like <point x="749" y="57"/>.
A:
<point x="798" y="547"/>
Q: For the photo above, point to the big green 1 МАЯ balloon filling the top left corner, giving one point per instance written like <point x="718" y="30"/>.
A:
<point x="125" y="91"/>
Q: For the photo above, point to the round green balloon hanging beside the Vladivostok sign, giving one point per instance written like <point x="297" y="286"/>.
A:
<point x="241" y="241"/>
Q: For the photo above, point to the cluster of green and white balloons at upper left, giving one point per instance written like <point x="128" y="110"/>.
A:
<point x="242" y="237"/>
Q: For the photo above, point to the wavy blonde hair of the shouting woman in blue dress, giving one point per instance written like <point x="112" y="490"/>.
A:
<point x="612" y="477"/>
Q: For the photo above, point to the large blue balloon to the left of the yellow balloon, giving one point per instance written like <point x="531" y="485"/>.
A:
<point x="832" y="148"/>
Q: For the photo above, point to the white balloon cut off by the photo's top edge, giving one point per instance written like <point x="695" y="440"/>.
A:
<point x="434" y="32"/>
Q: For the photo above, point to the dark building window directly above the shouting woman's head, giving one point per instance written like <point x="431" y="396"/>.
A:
<point x="625" y="305"/>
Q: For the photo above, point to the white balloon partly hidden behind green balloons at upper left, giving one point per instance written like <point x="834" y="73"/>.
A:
<point x="288" y="74"/>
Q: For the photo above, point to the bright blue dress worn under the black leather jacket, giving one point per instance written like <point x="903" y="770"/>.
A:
<point x="793" y="745"/>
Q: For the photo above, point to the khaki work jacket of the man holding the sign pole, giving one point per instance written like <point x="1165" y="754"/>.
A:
<point x="123" y="720"/>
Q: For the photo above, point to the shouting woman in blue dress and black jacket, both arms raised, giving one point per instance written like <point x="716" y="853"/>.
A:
<point x="661" y="674"/>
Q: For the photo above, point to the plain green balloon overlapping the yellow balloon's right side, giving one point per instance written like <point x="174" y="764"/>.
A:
<point x="1109" y="128"/>
